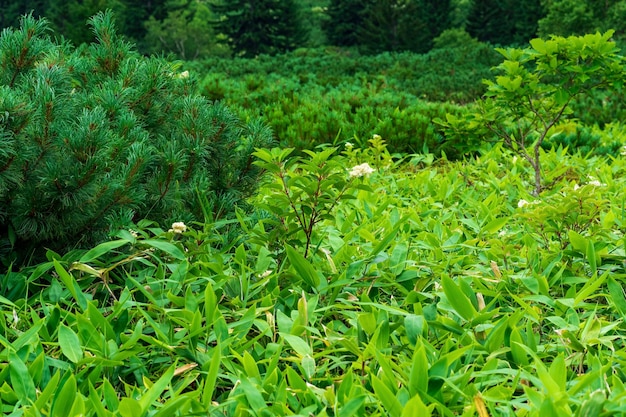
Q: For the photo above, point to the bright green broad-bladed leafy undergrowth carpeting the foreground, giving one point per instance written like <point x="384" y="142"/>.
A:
<point x="428" y="288"/>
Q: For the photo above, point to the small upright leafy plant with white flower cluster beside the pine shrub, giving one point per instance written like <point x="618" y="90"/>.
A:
<point x="300" y="192"/>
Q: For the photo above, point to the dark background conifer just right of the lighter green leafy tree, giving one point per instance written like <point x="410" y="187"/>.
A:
<point x="256" y="27"/>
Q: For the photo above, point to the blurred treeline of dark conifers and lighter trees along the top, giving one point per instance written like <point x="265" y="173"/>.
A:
<point x="192" y="29"/>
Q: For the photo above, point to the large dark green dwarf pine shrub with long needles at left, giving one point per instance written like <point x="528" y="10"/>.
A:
<point x="98" y="136"/>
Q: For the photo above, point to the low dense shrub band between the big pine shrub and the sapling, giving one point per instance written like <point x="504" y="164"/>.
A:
<point x="320" y="96"/>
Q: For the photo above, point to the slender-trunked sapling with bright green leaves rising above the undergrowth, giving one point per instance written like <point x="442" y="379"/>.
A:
<point x="535" y="89"/>
